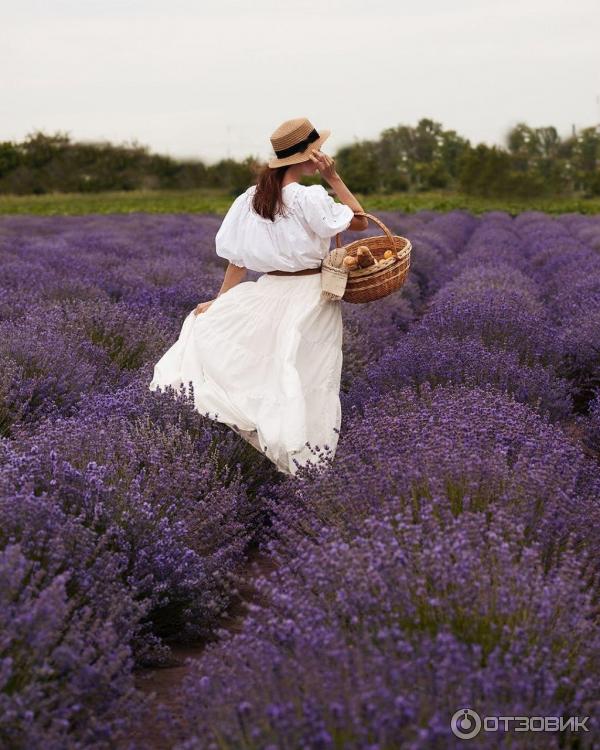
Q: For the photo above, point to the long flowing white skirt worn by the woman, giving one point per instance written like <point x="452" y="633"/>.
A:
<point x="266" y="360"/>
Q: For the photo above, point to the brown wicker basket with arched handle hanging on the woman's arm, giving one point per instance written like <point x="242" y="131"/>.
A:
<point x="383" y="278"/>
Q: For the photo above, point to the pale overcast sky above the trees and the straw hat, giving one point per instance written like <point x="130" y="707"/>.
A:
<point x="214" y="78"/>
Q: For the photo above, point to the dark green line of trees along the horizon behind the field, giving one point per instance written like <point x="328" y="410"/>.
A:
<point x="533" y="162"/>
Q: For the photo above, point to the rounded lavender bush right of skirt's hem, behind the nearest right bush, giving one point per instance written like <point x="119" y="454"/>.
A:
<point x="475" y="447"/>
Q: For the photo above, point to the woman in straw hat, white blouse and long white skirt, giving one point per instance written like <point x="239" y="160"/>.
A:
<point x="265" y="356"/>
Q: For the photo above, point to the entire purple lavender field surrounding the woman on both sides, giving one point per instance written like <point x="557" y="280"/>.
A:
<point x="448" y="558"/>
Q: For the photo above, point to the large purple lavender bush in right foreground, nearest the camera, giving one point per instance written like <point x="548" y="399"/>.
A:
<point x="377" y="641"/>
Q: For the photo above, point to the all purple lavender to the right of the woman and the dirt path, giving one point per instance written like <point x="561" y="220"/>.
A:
<point x="450" y="557"/>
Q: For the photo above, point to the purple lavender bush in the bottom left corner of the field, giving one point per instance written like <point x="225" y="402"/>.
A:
<point x="66" y="623"/>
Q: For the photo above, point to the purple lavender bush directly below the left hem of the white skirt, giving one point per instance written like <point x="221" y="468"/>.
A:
<point x="158" y="489"/>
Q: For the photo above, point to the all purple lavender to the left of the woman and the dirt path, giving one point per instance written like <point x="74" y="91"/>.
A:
<point x="125" y="516"/>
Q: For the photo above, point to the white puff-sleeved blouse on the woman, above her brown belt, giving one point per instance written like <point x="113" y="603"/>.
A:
<point x="300" y="239"/>
